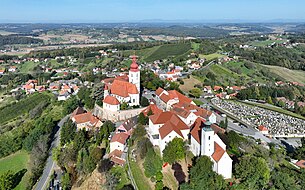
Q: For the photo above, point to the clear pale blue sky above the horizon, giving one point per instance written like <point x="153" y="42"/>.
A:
<point x="139" y="10"/>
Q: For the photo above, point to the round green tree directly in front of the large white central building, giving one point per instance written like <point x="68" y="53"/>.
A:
<point x="174" y="150"/>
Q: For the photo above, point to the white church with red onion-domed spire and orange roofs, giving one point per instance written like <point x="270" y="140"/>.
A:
<point x="122" y="89"/>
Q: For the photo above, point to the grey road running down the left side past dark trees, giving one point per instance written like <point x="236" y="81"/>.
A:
<point x="43" y="181"/>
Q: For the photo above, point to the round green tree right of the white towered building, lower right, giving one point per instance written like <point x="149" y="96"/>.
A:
<point x="253" y="172"/>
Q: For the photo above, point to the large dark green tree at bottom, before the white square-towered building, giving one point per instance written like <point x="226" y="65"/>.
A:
<point x="204" y="180"/>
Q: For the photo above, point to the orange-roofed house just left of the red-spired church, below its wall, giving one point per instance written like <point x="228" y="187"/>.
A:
<point x="86" y="121"/>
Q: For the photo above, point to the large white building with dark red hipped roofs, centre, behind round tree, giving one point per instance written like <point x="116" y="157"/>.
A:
<point x="164" y="127"/>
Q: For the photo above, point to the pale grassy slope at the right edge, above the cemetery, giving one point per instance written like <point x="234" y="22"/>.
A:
<point x="289" y="75"/>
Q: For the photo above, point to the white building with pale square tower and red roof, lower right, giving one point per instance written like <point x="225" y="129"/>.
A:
<point x="205" y="141"/>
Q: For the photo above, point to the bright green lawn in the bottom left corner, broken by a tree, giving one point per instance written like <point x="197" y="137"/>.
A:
<point x="16" y="163"/>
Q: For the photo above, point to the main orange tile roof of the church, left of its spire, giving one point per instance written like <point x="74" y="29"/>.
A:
<point x="123" y="88"/>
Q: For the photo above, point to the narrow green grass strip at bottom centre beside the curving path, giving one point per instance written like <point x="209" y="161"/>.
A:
<point x="139" y="176"/>
